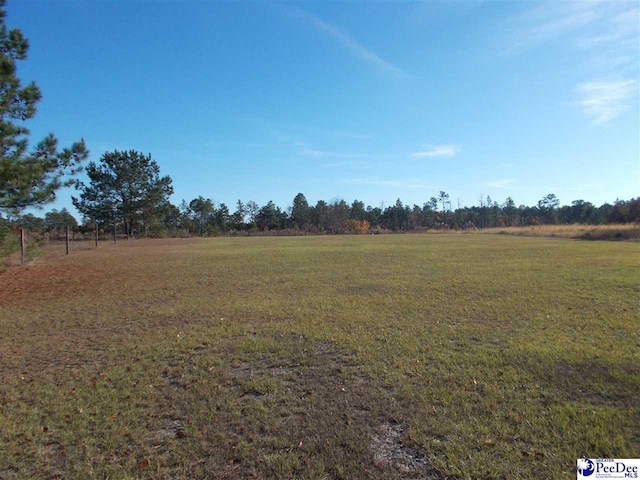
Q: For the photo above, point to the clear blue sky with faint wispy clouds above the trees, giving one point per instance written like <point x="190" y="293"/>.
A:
<point x="354" y="100"/>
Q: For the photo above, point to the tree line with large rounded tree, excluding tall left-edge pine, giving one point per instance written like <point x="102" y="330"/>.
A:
<point x="126" y="192"/>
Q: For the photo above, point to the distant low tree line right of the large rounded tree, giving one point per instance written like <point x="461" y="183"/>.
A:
<point x="202" y="217"/>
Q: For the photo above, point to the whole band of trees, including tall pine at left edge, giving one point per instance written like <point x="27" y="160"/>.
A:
<point x="126" y="192"/>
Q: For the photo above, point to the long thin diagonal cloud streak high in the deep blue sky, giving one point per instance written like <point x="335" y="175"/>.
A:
<point x="345" y="39"/>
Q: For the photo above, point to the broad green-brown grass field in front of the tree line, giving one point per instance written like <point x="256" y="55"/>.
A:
<point x="382" y="357"/>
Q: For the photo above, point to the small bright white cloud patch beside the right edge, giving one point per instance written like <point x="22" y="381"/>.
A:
<point x="606" y="100"/>
